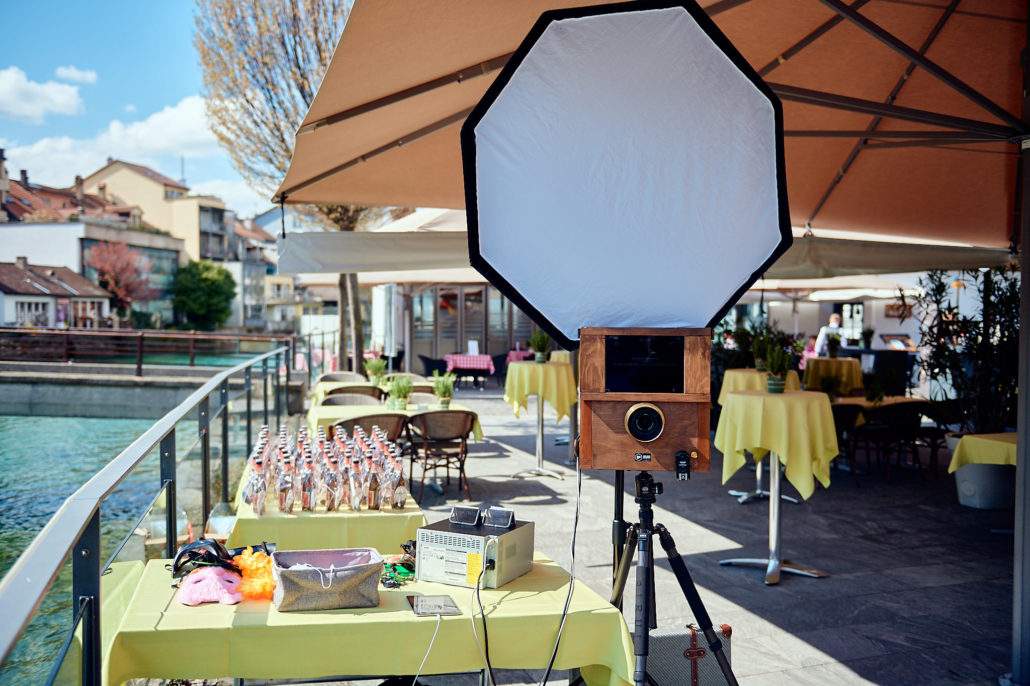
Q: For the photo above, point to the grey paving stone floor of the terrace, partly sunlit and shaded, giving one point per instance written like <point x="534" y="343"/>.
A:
<point x="920" y="591"/>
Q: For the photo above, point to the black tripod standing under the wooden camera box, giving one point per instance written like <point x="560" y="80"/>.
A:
<point x="639" y="536"/>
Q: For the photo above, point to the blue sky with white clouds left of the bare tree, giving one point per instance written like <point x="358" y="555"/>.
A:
<point x="84" y="82"/>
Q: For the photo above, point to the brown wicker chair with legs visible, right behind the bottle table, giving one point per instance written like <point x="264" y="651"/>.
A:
<point x="440" y="439"/>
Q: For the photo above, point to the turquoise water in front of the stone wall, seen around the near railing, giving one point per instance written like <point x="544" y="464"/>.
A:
<point x="44" y="461"/>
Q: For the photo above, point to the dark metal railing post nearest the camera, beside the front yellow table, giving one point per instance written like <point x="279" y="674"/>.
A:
<point x="86" y="589"/>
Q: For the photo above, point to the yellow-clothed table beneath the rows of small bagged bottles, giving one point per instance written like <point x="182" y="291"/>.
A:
<point x="385" y="531"/>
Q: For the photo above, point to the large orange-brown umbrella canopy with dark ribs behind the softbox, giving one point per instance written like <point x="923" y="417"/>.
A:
<point x="899" y="116"/>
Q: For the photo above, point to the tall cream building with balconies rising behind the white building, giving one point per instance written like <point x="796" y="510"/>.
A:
<point x="199" y="221"/>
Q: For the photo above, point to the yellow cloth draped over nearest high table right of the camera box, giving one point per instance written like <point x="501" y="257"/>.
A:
<point x="798" y="426"/>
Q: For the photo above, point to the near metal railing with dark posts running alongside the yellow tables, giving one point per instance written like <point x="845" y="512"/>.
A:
<point x="75" y="529"/>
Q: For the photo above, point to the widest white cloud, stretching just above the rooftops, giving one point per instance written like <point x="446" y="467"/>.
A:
<point x="177" y="130"/>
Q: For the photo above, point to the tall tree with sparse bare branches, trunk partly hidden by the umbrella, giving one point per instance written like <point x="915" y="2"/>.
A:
<point x="263" y="61"/>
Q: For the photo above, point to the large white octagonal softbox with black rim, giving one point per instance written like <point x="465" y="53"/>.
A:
<point x="626" y="169"/>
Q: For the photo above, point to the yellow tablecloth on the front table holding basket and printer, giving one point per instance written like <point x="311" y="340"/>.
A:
<point x="159" y="638"/>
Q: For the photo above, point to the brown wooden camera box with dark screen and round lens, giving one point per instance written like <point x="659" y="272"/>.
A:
<point x="645" y="399"/>
